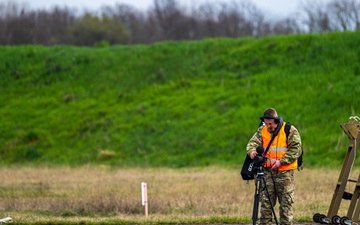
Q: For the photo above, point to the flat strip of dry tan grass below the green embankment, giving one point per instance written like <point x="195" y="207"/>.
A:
<point x="102" y="194"/>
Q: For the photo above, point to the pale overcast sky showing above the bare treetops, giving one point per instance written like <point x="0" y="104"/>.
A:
<point x="281" y="7"/>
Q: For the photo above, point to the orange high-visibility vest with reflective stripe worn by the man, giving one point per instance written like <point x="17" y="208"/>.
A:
<point x="277" y="149"/>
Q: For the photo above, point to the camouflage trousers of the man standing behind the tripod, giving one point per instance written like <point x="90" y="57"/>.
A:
<point x="280" y="185"/>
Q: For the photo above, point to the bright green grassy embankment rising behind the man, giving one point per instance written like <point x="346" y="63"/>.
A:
<point x="175" y="104"/>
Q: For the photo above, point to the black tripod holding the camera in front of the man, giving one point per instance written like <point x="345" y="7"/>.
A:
<point x="261" y="185"/>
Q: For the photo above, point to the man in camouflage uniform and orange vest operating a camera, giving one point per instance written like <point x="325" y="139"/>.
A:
<point x="279" y="167"/>
